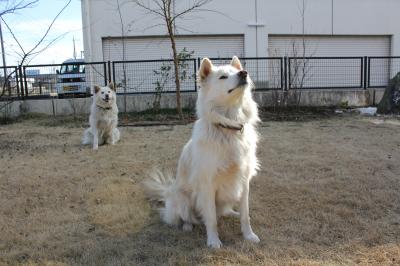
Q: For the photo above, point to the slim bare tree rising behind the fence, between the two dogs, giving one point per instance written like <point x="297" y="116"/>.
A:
<point x="165" y="9"/>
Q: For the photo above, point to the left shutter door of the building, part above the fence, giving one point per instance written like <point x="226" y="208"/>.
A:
<point x="160" y="47"/>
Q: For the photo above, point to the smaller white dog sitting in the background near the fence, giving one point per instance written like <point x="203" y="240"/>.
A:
<point x="103" y="119"/>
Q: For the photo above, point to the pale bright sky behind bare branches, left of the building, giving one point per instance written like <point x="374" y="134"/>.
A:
<point x="29" y="25"/>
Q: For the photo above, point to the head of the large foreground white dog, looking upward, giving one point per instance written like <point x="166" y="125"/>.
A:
<point x="224" y="85"/>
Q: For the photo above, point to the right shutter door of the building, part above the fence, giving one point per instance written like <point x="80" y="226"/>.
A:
<point x="329" y="46"/>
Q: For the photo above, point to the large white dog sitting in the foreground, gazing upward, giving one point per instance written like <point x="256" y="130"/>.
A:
<point x="218" y="162"/>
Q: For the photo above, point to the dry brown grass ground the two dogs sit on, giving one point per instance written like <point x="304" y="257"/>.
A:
<point x="328" y="193"/>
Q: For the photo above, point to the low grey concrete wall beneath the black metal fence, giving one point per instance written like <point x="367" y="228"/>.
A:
<point x="136" y="103"/>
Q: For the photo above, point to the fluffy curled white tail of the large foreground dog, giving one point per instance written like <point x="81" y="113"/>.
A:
<point x="158" y="184"/>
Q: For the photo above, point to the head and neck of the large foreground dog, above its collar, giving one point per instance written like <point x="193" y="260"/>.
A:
<point x="225" y="93"/>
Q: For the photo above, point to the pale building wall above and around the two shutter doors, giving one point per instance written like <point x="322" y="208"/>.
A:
<point x="255" y="19"/>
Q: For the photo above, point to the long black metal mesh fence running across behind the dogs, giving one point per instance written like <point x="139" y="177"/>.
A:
<point x="157" y="76"/>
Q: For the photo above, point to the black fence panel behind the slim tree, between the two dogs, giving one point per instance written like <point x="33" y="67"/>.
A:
<point x="153" y="76"/>
